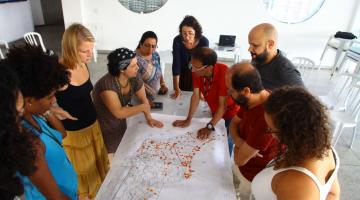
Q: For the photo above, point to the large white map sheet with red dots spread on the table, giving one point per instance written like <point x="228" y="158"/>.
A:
<point x="169" y="163"/>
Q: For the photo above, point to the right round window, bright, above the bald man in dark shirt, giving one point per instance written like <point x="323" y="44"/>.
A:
<point x="293" y="11"/>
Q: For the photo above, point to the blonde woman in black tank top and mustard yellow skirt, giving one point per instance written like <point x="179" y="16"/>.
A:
<point x="84" y="144"/>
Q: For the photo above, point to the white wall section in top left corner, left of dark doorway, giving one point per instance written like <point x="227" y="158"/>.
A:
<point x="15" y="20"/>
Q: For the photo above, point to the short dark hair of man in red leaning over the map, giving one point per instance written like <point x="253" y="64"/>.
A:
<point x="205" y="55"/>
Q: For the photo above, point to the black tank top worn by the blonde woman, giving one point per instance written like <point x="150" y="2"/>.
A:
<point x="77" y="101"/>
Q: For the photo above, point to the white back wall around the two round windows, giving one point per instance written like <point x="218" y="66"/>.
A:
<point x="115" y="26"/>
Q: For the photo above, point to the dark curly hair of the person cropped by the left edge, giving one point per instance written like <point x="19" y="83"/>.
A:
<point x="16" y="146"/>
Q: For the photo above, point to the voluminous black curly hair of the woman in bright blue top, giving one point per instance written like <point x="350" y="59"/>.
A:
<point x="39" y="73"/>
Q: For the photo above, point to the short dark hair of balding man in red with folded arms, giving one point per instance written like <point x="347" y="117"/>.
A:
<point x="247" y="78"/>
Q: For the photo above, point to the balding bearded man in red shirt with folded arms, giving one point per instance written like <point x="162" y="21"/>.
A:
<point x="254" y="145"/>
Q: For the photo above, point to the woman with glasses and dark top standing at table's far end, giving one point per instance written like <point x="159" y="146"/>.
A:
<point x="190" y="37"/>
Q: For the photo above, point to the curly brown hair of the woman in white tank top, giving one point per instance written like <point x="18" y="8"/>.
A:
<point x="302" y="122"/>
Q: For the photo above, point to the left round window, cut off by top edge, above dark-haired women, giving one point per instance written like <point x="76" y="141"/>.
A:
<point x="143" y="6"/>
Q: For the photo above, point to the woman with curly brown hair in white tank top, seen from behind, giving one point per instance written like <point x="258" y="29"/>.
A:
<point x="307" y="168"/>
